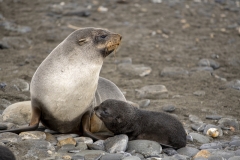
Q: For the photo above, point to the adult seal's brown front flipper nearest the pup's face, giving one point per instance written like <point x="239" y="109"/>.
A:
<point x="86" y="127"/>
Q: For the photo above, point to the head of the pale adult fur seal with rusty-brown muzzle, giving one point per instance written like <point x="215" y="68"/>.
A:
<point x="97" y="39"/>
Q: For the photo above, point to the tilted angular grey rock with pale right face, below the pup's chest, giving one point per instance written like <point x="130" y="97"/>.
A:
<point x="116" y="144"/>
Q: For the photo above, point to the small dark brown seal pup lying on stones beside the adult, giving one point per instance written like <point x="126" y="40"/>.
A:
<point x="122" y="118"/>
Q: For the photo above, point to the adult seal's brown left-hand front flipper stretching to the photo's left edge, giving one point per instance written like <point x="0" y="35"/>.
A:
<point x="36" y="114"/>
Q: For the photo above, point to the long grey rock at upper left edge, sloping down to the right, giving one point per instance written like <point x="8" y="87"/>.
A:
<point x="14" y="27"/>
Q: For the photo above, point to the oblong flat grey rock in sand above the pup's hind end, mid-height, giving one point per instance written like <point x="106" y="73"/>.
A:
<point x="174" y="72"/>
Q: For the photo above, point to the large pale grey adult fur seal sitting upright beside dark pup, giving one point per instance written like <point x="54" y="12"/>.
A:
<point x="67" y="84"/>
